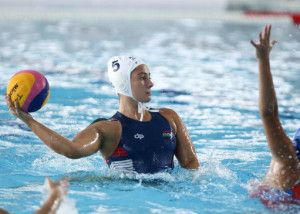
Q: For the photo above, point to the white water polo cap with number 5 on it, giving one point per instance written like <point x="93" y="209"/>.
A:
<point x="119" y="71"/>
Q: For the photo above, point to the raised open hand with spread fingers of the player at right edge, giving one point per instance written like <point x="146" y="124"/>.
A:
<point x="264" y="46"/>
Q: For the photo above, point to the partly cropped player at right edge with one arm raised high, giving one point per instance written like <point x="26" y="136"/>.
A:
<point x="284" y="172"/>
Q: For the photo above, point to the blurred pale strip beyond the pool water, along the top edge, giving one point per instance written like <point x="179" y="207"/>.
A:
<point x="146" y="9"/>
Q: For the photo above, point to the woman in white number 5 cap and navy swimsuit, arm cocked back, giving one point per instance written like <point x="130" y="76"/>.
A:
<point x="135" y="138"/>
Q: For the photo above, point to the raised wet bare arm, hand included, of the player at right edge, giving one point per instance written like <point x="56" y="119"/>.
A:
<point x="279" y="143"/>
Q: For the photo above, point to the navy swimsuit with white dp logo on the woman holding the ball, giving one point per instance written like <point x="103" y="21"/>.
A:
<point x="145" y="147"/>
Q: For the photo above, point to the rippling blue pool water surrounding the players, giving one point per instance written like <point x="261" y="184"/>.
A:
<point x="206" y="71"/>
